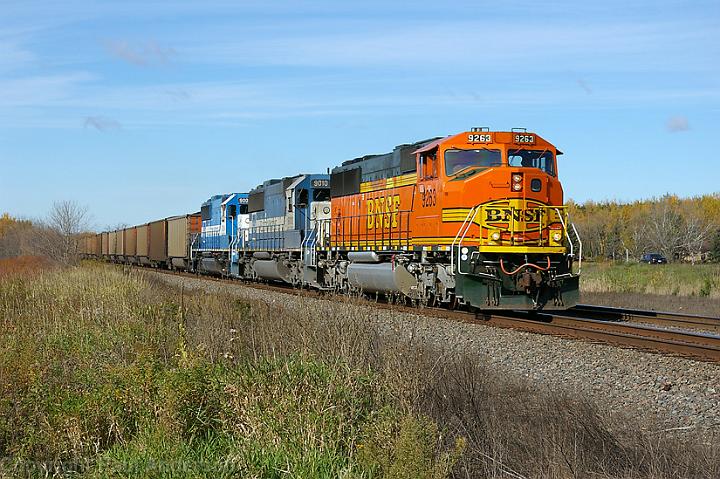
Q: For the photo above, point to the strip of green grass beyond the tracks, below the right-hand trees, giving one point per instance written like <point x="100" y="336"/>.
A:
<point x="701" y="280"/>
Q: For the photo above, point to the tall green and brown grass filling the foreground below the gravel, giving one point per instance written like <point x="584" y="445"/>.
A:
<point x="109" y="373"/>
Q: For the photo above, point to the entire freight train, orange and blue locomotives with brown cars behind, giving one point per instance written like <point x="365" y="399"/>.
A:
<point x="474" y="219"/>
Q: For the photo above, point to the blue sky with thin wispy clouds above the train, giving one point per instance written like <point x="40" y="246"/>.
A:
<point x="141" y="110"/>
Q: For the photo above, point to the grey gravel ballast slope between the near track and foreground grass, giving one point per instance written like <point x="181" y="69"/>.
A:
<point x="668" y="394"/>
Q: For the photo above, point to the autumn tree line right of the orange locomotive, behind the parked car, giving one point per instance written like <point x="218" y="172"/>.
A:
<point x="681" y="229"/>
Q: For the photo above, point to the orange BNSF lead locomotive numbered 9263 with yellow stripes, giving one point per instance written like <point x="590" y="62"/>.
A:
<point x="476" y="218"/>
